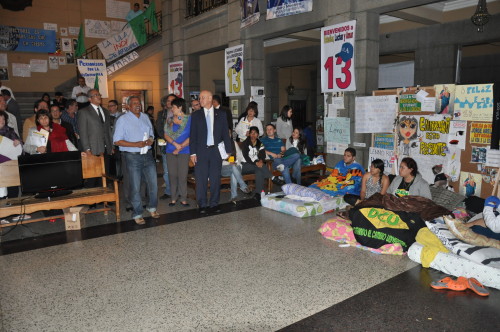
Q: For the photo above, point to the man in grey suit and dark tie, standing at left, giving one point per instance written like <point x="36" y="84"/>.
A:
<point x="94" y="126"/>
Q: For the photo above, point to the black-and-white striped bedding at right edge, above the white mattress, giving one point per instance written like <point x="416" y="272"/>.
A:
<point x="483" y="255"/>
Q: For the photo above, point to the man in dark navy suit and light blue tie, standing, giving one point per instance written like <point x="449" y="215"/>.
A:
<point x="208" y="129"/>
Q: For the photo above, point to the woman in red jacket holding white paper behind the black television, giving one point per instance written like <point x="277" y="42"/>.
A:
<point x="57" y="139"/>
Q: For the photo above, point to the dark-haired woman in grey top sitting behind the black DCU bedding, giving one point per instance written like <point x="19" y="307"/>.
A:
<point x="409" y="181"/>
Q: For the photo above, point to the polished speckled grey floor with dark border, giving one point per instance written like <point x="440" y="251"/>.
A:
<point x="246" y="269"/>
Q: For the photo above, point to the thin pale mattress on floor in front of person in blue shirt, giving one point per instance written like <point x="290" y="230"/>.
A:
<point x="301" y="208"/>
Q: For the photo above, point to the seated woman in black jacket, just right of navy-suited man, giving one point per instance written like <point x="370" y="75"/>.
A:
<point x="255" y="156"/>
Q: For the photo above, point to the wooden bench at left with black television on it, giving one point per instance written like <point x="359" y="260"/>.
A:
<point x="92" y="167"/>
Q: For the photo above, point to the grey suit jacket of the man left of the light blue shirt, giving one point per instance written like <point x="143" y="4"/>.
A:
<point x="94" y="134"/>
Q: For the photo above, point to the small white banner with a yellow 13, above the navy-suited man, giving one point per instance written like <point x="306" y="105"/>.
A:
<point x="234" y="71"/>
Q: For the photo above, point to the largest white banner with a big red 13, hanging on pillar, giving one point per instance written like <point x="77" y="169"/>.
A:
<point x="337" y="57"/>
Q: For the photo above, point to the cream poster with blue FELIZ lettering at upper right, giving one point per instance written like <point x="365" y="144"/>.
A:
<point x="474" y="102"/>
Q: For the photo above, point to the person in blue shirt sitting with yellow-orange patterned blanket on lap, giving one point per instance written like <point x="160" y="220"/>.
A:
<point x="345" y="178"/>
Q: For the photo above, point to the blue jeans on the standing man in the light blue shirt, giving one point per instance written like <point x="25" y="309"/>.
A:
<point x="141" y="167"/>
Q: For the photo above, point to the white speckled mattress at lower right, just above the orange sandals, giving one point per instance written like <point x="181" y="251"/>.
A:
<point x="457" y="266"/>
